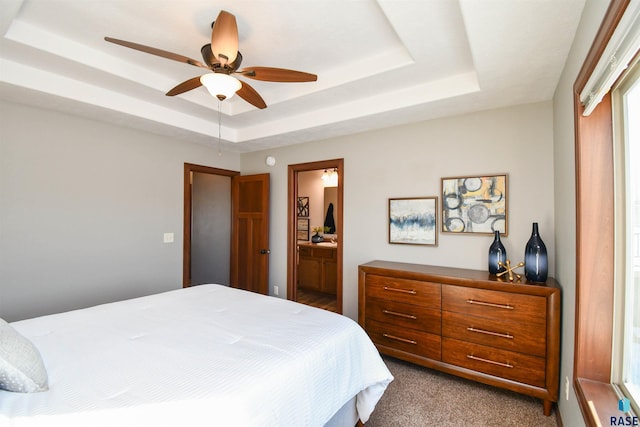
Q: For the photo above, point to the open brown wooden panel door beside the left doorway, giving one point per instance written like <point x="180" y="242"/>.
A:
<point x="250" y="233"/>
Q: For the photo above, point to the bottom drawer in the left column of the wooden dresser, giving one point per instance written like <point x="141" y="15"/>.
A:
<point x="408" y="340"/>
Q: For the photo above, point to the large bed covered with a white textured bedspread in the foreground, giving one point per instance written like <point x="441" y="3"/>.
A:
<point x="206" y="355"/>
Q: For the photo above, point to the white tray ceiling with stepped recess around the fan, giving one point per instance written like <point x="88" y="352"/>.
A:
<point x="379" y="62"/>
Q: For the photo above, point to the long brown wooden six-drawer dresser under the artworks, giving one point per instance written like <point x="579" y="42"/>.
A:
<point x="466" y="323"/>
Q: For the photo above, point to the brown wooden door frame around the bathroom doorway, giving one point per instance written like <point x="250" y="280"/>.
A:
<point x="292" y="206"/>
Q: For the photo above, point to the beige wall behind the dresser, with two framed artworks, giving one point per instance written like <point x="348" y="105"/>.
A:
<point x="408" y="161"/>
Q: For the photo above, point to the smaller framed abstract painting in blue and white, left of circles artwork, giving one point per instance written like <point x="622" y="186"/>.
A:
<point x="413" y="221"/>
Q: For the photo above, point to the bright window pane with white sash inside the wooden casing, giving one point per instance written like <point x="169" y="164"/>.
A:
<point x="626" y="362"/>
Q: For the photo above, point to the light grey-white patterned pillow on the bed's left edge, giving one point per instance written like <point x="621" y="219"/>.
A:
<point x="21" y="366"/>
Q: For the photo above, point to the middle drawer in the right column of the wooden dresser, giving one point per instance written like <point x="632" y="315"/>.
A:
<point x="523" y="337"/>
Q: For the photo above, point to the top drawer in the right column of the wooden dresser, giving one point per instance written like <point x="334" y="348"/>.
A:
<point x="494" y="304"/>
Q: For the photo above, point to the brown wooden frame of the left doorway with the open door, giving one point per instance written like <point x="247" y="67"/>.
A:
<point x="187" y="209"/>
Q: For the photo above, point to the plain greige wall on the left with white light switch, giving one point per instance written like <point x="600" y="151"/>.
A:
<point x="83" y="209"/>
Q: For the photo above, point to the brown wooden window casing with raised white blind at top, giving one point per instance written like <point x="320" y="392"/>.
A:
<point x="616" y="39"/>
